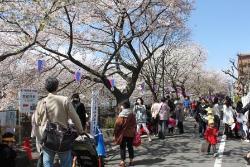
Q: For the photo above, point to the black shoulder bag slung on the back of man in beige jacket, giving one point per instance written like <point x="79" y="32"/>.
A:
<point x="56" y="137"/>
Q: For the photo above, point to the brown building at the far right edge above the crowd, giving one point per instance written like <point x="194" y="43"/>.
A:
<point x="243" y="72"/>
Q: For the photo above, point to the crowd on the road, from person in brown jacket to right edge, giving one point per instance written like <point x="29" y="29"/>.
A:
<point x="165" y="117"/>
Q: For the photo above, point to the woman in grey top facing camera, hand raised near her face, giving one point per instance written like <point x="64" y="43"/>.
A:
<point x="141" y="116"/>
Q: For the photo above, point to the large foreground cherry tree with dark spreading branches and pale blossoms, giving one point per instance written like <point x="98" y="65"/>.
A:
<point x="105" y="38"/>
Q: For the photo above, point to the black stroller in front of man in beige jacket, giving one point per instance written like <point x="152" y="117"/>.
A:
<point x="84" y="152"/>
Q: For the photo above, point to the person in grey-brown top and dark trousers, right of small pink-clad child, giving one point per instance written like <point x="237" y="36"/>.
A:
<point x="179" y="113"/>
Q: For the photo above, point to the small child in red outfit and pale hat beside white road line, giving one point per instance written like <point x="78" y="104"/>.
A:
<point x="211" y="134"/>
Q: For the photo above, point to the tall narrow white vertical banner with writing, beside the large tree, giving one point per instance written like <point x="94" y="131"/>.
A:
<point x="94" y="112"/>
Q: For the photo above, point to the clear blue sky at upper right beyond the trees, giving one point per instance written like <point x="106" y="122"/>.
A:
<point x="222" y="27"/>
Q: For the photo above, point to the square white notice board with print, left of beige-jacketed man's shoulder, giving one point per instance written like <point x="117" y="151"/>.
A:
<point x="27" y="100"/>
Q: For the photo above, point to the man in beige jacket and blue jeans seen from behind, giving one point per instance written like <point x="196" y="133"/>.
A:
<point x="60" y="110"/>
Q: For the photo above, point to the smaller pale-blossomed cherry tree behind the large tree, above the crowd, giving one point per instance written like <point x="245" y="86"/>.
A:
<point x="173" y="68"/>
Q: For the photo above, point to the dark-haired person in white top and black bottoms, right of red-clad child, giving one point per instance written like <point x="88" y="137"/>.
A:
<point x="228" y="117"/>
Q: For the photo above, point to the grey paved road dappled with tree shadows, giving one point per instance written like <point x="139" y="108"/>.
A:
<point x="183" y="151"/>
